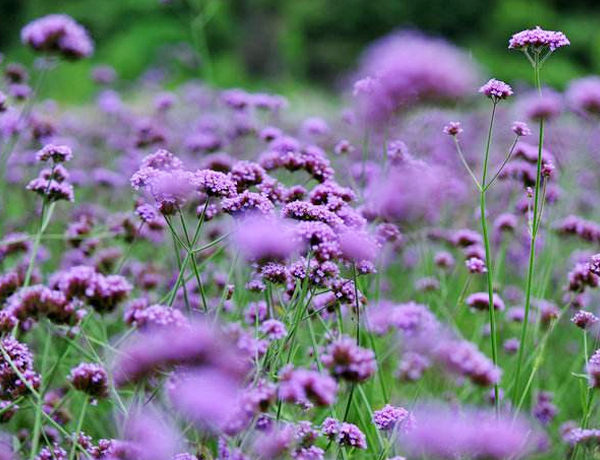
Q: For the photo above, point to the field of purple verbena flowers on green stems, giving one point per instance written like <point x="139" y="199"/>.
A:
<point x="407" y="270"/>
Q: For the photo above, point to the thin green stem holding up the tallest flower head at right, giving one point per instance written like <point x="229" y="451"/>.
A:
<point x="533" y="237"/>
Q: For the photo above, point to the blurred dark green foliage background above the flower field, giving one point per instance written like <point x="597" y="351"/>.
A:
<point x="286" y="45"/>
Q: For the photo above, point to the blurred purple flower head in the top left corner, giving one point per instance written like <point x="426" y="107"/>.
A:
<point x="60" y="34"/>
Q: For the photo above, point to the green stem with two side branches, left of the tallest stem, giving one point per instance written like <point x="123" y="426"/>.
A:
<point x="488" y="255"/>
